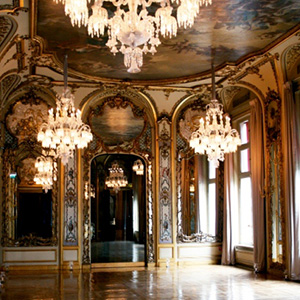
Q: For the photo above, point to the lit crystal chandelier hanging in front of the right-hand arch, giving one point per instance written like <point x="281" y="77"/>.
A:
<point x="214" y="136"/>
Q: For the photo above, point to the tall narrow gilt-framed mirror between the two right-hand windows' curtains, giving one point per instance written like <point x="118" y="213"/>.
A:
<point x="274" y="189"/>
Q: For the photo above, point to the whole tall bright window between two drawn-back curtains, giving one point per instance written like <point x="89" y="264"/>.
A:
<point x="245" y="190"/>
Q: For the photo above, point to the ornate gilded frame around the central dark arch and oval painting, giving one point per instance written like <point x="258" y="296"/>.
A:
<point x="141" y="146"/>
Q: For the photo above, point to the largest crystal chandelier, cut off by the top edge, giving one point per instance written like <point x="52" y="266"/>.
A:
<point x="132" y="31"/>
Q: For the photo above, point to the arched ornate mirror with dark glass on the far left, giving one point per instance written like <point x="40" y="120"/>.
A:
<point x="29" y="214"/>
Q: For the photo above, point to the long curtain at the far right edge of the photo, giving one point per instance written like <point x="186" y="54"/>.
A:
<point x="291" y="152"/>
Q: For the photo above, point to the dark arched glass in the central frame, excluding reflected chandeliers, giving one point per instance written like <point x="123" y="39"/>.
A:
<point x="118" y="215"/>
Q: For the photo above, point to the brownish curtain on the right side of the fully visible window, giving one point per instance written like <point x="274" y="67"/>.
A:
<point x="257" y="180"/>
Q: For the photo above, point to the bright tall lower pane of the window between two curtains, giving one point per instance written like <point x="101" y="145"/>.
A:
<point x="246" y="219"/>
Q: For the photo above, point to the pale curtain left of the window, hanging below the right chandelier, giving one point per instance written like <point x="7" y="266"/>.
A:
<point x="230" y="226"/>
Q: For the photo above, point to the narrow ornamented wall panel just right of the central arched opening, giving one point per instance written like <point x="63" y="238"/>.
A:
<point x="165" y="184"/>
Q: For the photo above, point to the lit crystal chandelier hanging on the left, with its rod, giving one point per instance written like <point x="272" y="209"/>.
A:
<point x="65" y="130"/>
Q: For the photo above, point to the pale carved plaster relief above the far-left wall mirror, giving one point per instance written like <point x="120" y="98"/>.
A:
<point x="26" y="119"/>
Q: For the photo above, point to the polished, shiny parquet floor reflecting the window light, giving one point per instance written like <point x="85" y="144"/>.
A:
<point x="203" y="282"/>
